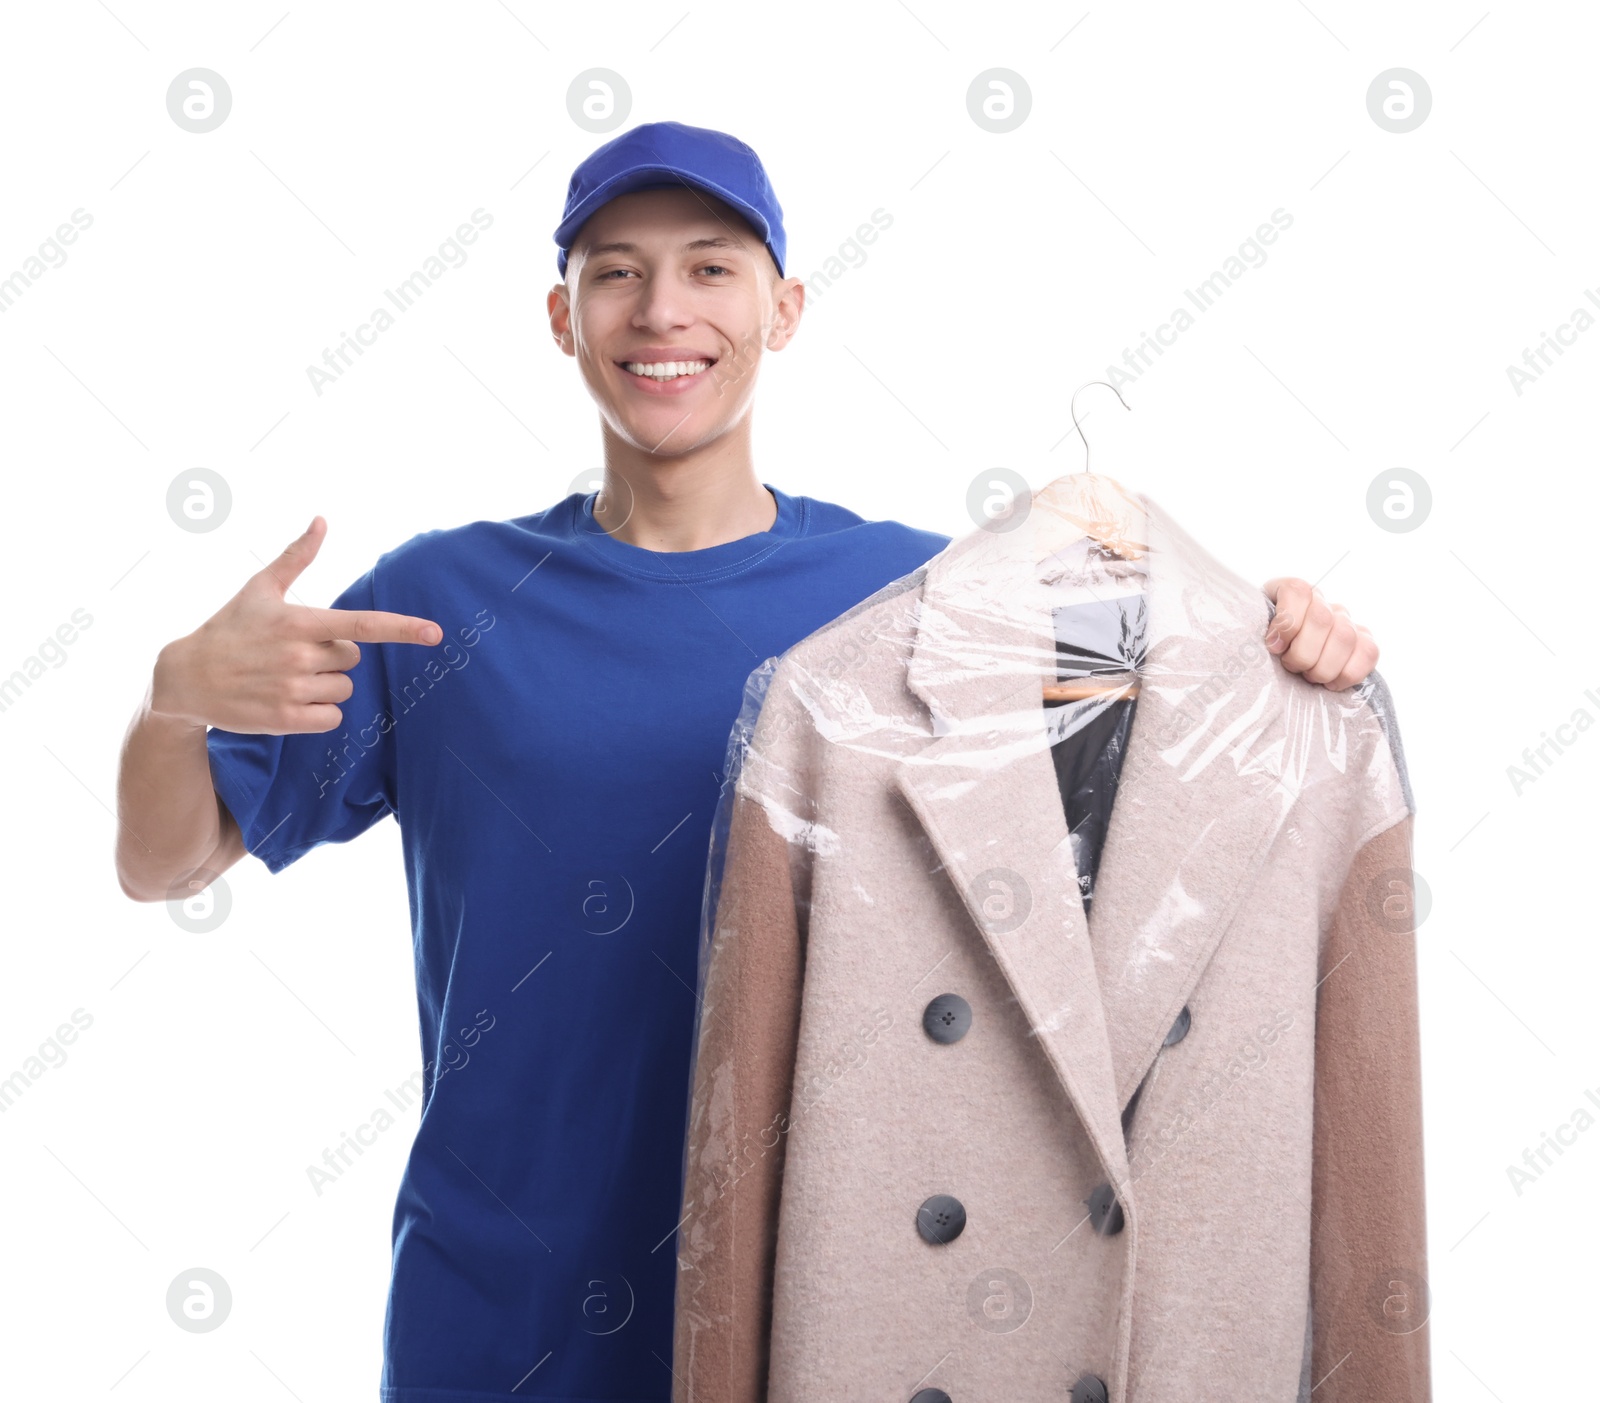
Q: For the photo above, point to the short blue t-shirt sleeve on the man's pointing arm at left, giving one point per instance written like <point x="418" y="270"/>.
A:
<point x="290" y="794"/>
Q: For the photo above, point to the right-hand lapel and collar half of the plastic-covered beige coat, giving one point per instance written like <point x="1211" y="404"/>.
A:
<point x="1206" y="788"/>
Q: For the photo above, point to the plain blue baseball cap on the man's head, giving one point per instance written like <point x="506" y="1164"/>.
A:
<point x="662" y="156"/>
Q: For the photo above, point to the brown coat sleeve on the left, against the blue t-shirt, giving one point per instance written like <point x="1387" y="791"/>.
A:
<point x="738" y="1122"/>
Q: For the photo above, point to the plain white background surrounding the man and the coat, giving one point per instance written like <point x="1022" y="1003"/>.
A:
<point x="1018" y="266"/>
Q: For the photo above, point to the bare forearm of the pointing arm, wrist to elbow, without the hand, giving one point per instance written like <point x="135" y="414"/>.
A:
<point x="169" y="818"/>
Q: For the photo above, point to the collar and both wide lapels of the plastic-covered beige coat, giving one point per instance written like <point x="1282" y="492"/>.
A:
<point x="1199" y="801"/>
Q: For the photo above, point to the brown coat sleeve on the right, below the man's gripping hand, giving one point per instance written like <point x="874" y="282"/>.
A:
<point x="1369" y="1260"/>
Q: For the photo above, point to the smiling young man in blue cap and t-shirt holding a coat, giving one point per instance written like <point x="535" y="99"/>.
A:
<point x="545" y="706"/>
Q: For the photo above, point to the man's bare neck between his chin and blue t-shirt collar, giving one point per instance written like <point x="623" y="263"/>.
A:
<point x="689" y="503"/>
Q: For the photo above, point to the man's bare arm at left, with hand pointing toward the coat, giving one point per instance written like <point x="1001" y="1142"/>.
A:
<point x="258" y="666"/>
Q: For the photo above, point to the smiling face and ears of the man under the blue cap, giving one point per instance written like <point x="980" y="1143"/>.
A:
<point x="671" y="300"/>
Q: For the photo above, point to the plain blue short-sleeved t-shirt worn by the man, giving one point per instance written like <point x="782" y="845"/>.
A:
<point x="554" y="765"/>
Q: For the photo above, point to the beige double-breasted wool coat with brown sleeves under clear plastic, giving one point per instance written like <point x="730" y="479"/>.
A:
<point x="1228" y="1050"/>
